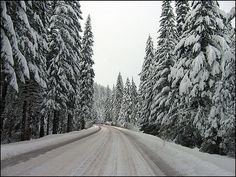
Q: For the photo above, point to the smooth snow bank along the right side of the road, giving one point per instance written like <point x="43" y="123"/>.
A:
<point x="185" y="160"/>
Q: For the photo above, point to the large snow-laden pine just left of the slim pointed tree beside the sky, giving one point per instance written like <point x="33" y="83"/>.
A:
<point x="63" y="59"/>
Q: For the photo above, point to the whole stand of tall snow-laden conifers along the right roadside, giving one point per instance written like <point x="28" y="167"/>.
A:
<point x="192" y="96"/>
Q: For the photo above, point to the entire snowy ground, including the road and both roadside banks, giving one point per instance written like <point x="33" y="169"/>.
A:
<point x="112" y="151"/>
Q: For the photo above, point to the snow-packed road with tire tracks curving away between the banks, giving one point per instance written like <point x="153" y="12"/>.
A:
<point x="108" y="152"/>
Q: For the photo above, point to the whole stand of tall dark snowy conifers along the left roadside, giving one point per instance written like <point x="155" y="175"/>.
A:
<point x="44" y="60"/>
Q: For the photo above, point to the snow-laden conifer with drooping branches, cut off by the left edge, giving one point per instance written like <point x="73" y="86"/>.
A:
<point x="14" y="68"/>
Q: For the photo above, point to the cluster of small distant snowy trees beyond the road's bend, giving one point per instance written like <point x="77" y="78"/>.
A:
<point x="119" y="105"/>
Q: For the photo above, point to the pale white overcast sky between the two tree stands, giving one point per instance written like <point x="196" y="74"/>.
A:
<point x="120" y="30"/>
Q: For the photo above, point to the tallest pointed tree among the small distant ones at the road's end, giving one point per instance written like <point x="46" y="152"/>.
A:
<point x="118" y="98"/>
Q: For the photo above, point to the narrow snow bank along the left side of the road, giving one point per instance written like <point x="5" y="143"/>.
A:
<point x="13" y="149"/>
